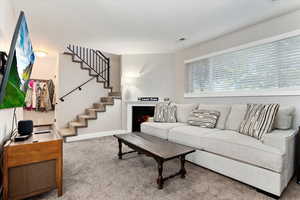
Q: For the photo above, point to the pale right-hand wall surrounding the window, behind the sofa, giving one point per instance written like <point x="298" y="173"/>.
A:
<point x="273" y="27"/>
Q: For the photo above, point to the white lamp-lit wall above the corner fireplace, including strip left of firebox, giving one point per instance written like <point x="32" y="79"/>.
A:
<point x="146" y="75"/>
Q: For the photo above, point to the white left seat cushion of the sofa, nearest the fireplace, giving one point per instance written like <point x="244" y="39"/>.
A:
<point x="158" y="129"/>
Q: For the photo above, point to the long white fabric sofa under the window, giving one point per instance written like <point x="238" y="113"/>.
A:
<point x="267" y="164"/>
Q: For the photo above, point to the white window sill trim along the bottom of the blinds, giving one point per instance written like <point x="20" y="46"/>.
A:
<point x="254" y="93"/>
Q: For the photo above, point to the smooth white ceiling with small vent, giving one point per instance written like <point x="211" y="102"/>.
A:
<point x="141" y="26"/>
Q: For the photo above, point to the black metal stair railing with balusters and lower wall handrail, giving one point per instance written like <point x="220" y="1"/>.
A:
<point x="95" y="60"/>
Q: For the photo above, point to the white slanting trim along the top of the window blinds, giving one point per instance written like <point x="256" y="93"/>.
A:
<point x="248" y="45"/>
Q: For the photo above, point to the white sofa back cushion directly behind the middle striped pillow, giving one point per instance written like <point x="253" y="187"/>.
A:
<point x="224" y="112"/>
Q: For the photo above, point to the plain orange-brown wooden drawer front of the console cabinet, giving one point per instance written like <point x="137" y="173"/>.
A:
<point x="31" y="153"/>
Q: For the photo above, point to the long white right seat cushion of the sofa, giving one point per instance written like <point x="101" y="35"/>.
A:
<point x="230" y="144"/>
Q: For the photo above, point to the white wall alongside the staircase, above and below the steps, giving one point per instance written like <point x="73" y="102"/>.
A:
<point x="70" y="75"/>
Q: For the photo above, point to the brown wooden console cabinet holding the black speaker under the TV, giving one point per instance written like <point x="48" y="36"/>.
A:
<point x="32" y="167"/>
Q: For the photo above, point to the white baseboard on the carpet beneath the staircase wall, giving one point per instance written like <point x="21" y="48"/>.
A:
<point x="89" y="136"/>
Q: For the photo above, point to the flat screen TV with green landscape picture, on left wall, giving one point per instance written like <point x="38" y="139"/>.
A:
<point x="17" y="70"/>
